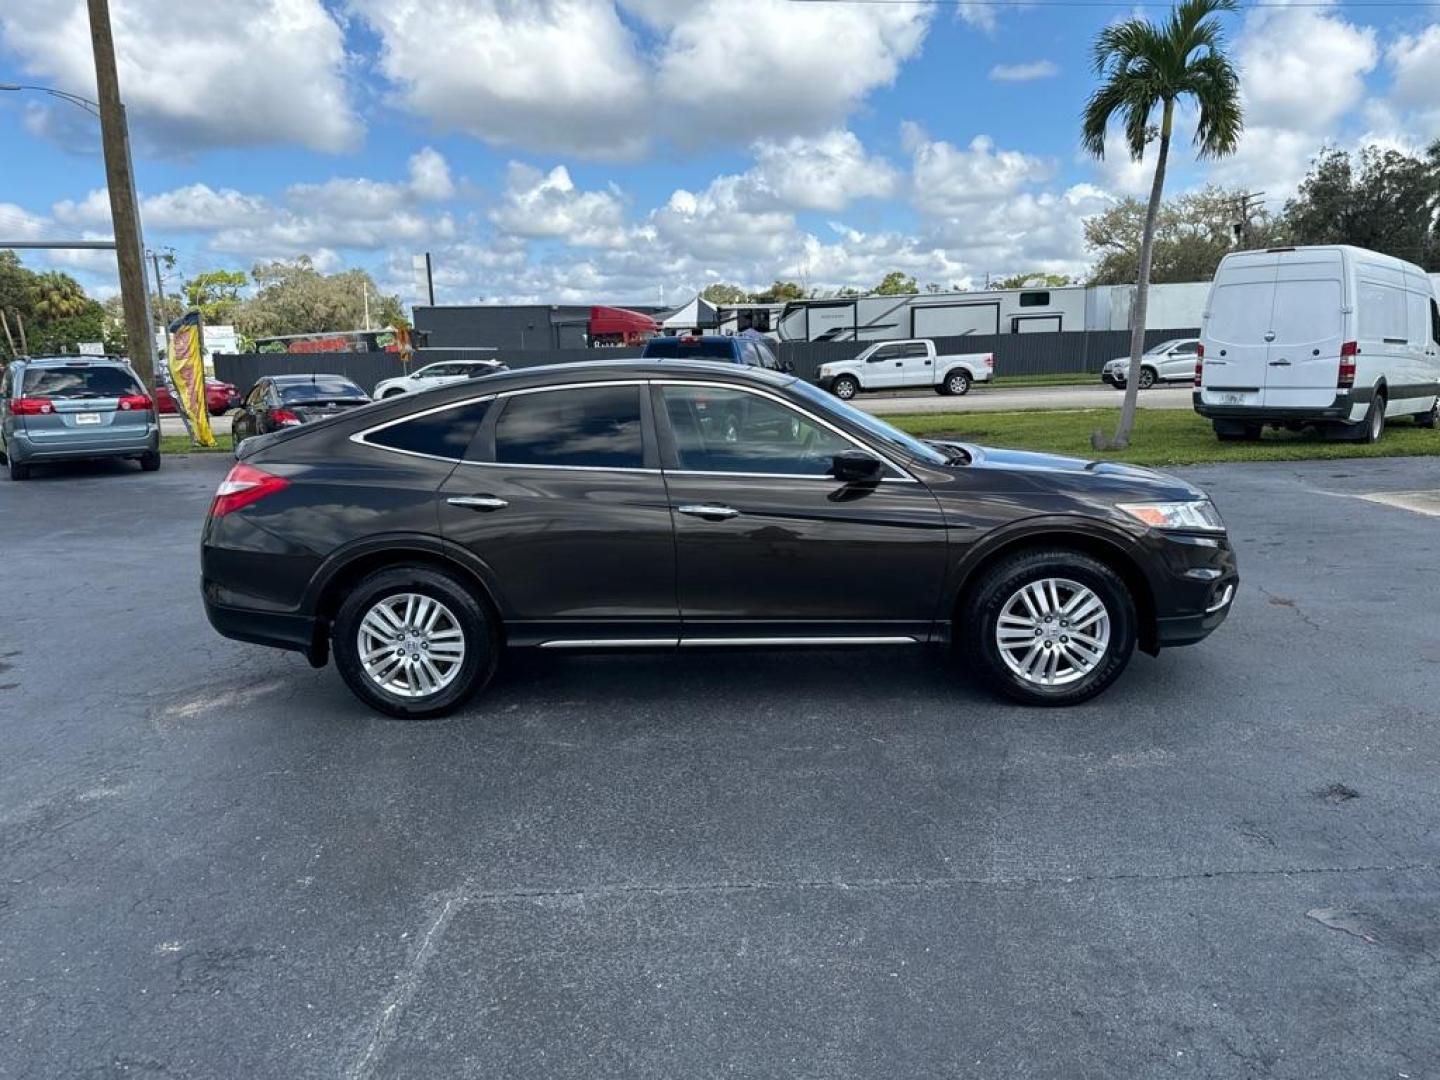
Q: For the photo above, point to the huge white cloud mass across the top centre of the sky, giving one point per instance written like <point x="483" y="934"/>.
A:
<point x="572" y="77"/>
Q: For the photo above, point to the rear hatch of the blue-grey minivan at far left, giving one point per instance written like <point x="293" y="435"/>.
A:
<point x="83" y="402"/>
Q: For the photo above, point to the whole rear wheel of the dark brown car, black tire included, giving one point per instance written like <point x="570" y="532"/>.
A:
<point x="464" y="618"/>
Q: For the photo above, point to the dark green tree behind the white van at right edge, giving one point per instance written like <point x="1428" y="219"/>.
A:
<point x="1383" y="199"/>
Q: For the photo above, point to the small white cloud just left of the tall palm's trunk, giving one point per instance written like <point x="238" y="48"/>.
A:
<point x="948" y="179"/>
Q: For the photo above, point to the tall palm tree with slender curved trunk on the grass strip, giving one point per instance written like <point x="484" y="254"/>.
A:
<point x="1146" y="67"/>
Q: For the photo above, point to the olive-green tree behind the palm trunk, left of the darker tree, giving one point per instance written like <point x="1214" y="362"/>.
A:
<point x="1193" y="234"/>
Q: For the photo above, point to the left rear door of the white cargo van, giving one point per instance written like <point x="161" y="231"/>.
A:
<point x="1238" y="330"/>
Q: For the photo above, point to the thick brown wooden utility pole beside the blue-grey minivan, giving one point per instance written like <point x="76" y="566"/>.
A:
<point x="120" y="178"/>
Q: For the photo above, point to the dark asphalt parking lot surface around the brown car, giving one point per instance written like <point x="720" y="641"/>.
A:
<point x="215" y="865"/>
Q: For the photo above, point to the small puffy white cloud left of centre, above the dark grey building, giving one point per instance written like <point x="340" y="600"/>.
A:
<point x="549" y="205"/>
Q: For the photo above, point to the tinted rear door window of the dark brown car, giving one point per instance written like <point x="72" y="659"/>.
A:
<point x="595" y="427"/>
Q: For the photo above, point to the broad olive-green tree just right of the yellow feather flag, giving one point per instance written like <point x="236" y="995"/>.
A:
<point x="296" y="299"/>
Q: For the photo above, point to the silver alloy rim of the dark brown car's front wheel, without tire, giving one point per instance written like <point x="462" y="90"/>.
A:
<point x="1053" y="633"/>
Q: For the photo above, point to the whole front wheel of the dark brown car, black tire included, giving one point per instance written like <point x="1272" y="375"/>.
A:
<point x="1076" y="578"/>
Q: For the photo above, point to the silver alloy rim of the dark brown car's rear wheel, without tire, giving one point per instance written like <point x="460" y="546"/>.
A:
<point x="411" y="646"/>
